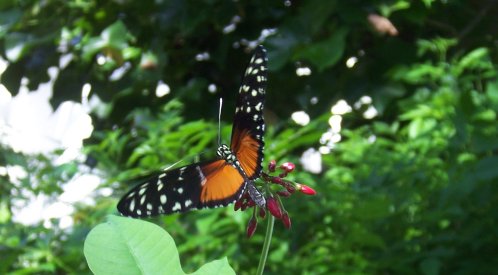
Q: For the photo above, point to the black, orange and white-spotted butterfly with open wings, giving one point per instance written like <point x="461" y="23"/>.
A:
<point x="218" y="182"/>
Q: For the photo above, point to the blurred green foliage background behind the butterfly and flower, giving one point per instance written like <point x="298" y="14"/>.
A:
<point x="411" y="190"/>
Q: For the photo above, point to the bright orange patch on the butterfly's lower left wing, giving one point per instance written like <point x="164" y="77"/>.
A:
<point x="222" y="181"/>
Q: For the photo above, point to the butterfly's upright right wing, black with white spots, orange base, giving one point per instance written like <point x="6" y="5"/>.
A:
<point x="248" y="125"/>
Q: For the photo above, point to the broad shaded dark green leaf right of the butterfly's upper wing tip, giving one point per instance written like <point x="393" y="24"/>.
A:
<point x="326" y="53"/>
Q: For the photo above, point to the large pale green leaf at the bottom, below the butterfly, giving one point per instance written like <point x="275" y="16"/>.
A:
<point x="130" y="246"/>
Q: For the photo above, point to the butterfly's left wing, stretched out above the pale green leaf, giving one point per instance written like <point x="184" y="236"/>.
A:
<point x="195" y="186"/>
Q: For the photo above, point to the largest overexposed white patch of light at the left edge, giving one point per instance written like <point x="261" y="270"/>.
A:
<point x="29" y="125"/>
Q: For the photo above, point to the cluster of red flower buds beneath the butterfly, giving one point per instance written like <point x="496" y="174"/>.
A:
<point x="275" y="188"/>
